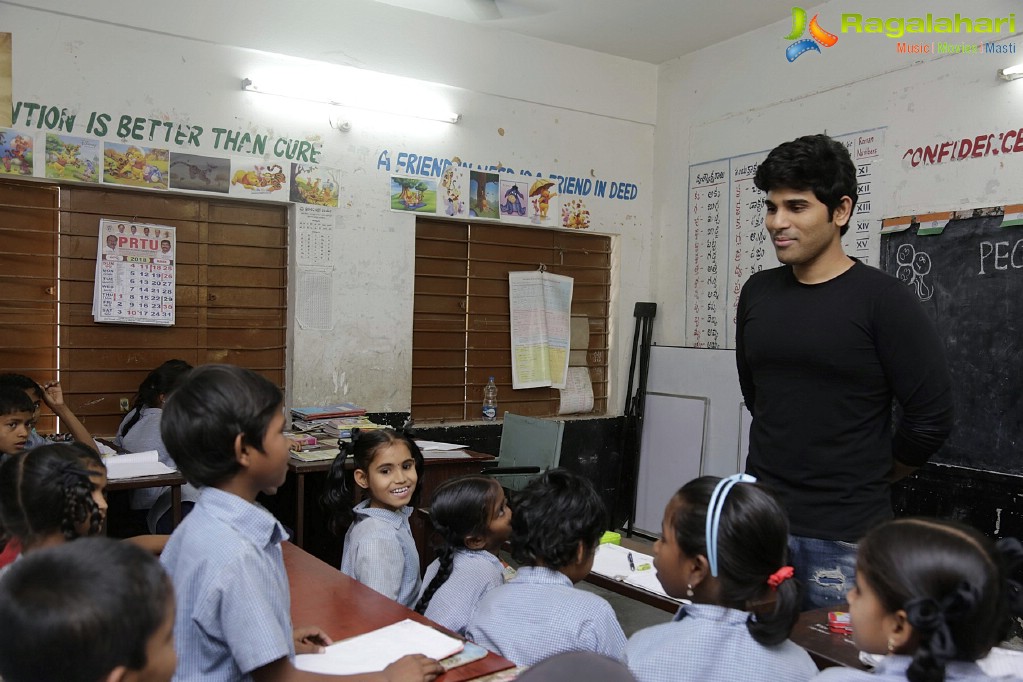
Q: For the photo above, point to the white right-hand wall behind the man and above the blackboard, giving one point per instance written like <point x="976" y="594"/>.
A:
<point x="743" y="97"/>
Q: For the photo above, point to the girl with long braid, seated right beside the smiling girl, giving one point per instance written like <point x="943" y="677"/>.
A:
<point x="473" y="520"/>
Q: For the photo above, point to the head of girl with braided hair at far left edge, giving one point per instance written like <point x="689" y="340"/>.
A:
<point x="52" y="495"/>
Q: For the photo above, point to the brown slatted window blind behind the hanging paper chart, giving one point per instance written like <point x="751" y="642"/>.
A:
<point x="461" y="329"/>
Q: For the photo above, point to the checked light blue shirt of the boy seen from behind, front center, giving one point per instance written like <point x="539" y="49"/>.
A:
<point x="541" y="614"/>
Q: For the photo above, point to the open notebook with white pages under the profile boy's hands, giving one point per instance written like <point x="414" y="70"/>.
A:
<point x="376" y="651"/>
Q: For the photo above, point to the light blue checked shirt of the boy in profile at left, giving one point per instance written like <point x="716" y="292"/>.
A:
<point x="233" y="596"/>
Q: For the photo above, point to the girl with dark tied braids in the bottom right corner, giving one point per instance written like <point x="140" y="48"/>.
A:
<point x="935" y="597"/>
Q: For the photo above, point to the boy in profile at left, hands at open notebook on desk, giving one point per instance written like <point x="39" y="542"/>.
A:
<point x="225" y="428"/>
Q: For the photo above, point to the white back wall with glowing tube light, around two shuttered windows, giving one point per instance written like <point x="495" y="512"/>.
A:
<point x="526" y="105"/>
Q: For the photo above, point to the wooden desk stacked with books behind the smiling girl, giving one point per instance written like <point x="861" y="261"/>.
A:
<point x="435" y="472"/>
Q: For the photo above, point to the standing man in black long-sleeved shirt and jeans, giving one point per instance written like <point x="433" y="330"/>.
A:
<point x="824" y="344"/>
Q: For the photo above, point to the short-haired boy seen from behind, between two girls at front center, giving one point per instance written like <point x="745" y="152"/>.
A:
<point x="559" y="520"/>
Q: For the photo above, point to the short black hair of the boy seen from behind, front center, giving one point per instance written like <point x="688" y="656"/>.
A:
<point x="552" y="516"/>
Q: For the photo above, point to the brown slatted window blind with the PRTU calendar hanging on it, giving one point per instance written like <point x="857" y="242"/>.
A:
<point x="232" y="295"/>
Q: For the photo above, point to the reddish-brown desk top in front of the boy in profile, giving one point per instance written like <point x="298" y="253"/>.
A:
<point x="344" y="608"/>
